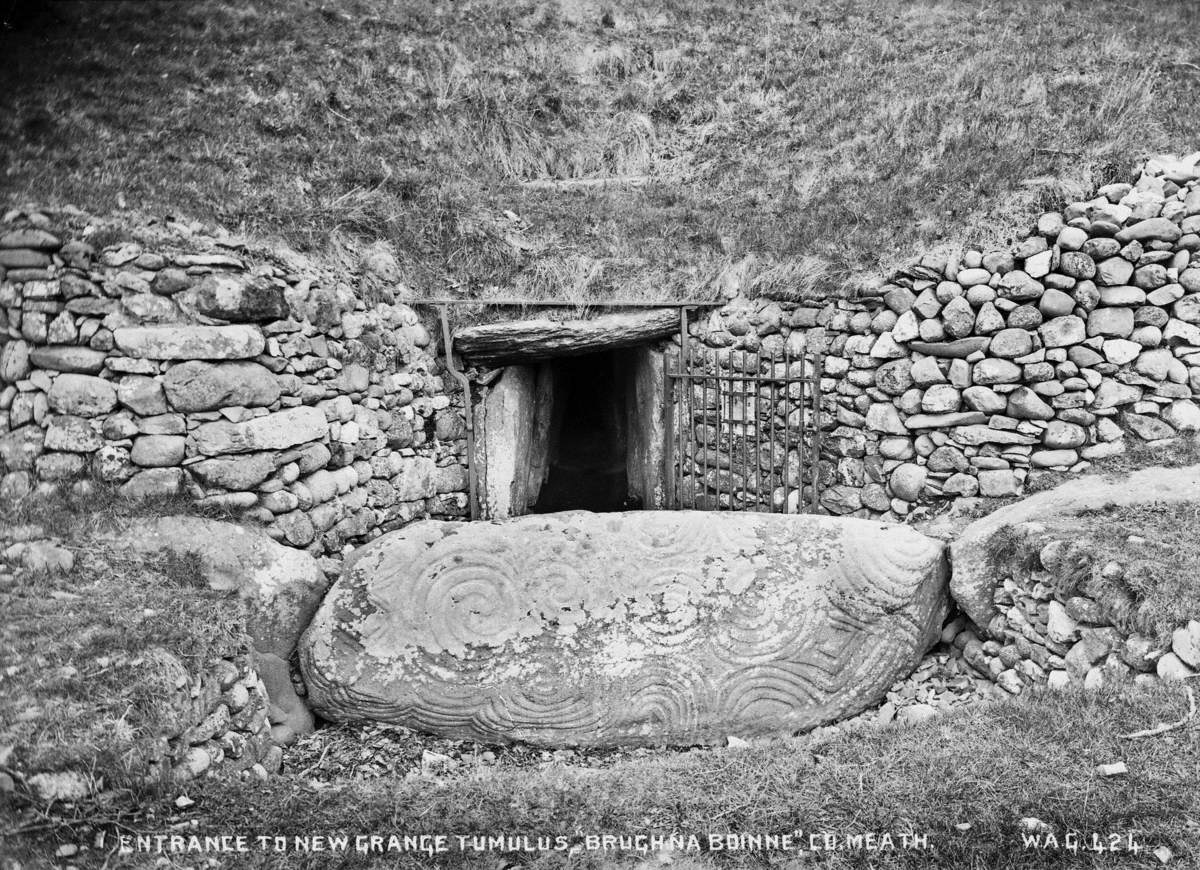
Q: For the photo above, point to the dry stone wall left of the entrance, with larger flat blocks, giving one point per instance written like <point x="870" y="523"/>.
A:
<point x="184" y="364"/>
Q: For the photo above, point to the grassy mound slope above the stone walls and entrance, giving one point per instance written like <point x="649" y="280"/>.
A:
<point x="574" y="149"/>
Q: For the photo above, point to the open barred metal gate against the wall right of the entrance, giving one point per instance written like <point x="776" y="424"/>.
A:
<point x="742" y="437"/>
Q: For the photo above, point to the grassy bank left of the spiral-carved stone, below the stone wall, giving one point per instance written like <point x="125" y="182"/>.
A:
<point x="92" y="657"/>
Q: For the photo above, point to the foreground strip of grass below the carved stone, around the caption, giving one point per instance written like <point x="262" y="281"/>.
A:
<point x="988" y="769"/>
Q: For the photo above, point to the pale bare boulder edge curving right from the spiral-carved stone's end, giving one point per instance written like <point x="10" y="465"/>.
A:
<point x="975" y="573"/>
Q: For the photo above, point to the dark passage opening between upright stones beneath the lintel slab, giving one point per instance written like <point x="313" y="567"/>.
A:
<point x="589" y="439"/>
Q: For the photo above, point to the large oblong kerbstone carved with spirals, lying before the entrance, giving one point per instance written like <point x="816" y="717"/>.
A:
<point x="614" y="629"/>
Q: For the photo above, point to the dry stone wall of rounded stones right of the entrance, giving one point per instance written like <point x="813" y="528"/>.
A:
<point x="968" y="376"/>
